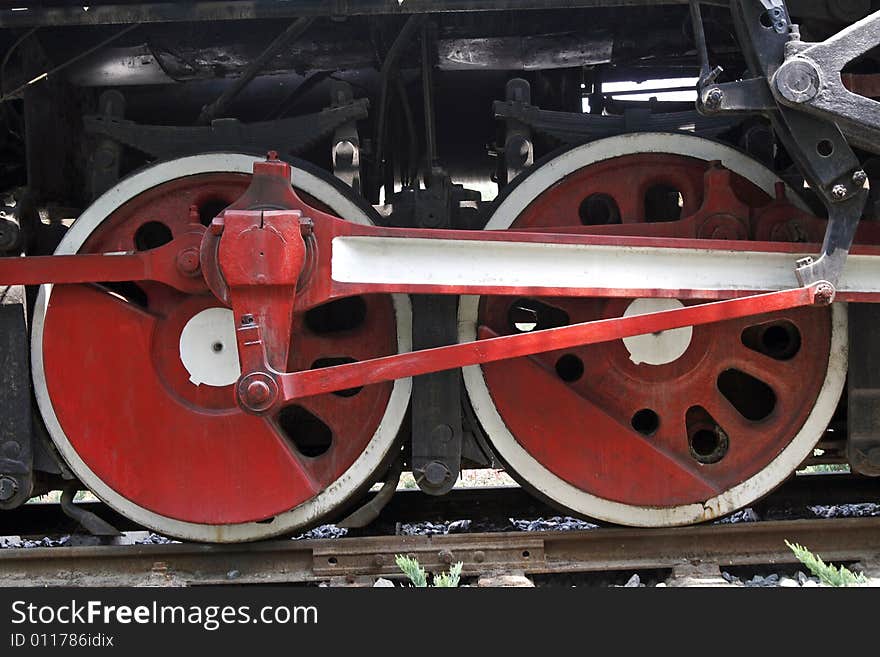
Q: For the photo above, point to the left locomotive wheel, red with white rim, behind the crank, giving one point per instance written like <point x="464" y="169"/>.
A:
<point x="135" y="382"/>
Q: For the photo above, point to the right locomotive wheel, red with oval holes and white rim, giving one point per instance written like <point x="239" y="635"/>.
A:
<point x="666" y="429"/>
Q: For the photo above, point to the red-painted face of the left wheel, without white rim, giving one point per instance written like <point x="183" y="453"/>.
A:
<point x="125" y="402"/>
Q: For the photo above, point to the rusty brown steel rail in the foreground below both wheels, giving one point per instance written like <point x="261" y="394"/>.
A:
<point x="531" y="553"/>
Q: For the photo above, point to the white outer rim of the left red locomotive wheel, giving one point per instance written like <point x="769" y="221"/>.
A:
<point x="333" y="496"/>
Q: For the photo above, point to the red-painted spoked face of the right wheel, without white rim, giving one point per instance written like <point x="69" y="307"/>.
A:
<point x="624" y="431"/>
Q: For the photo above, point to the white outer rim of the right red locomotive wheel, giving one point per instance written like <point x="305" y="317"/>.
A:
<point x="558" y="490"/>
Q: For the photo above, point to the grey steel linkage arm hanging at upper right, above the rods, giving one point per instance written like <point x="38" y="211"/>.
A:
<point x="785" y="89"/>
